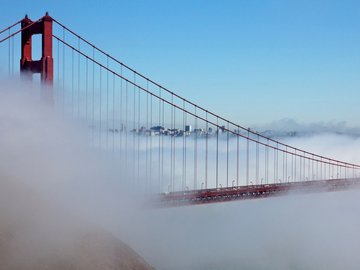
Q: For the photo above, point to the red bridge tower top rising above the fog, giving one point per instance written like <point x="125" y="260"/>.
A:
<point x="44" y="66"/>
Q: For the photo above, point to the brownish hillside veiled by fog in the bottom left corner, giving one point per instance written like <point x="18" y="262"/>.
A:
<point x="34" y="235"/>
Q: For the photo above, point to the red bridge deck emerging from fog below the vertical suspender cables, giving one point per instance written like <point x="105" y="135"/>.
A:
<point x="191" y="197"/>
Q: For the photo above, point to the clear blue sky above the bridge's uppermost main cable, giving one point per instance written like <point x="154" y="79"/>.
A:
<point x="252" y="61"/>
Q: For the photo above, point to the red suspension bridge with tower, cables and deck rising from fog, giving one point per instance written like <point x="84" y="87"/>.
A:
<point x="171" y="146"/>
